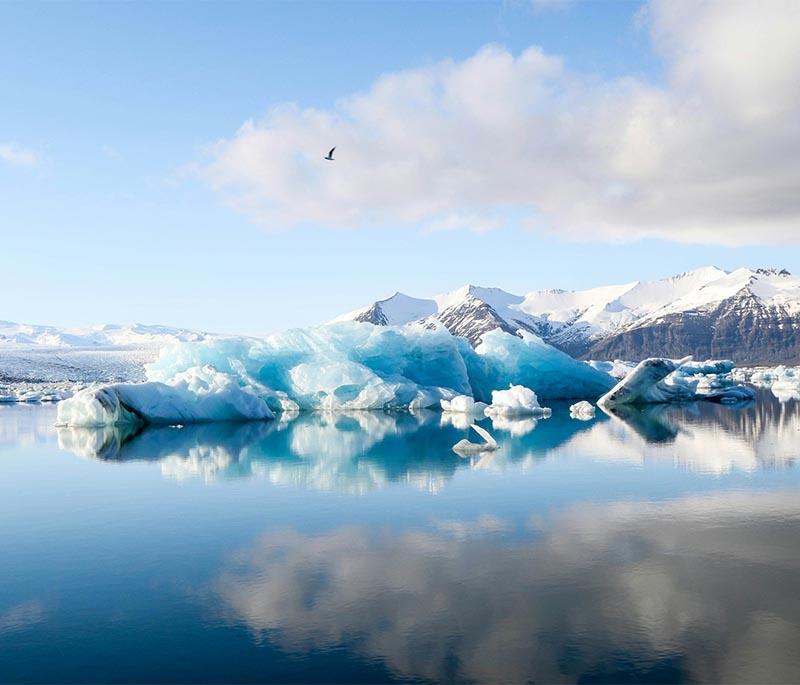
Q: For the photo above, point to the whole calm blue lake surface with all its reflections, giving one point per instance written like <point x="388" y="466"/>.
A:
<point x="662" y="546"/>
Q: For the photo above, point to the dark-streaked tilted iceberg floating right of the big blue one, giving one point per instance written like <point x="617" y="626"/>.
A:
<point x="661" y="380"/>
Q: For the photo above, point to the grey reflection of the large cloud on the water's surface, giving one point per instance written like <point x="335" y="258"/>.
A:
<point x="704" y="588"/>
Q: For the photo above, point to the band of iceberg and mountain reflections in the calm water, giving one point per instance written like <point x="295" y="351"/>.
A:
<point x="364" y="451"/>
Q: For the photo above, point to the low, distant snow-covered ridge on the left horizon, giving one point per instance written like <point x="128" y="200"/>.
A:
<point x="104" y="335"/>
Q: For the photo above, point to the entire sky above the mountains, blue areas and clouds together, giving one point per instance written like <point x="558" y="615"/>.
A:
<point x="162" y="162"/>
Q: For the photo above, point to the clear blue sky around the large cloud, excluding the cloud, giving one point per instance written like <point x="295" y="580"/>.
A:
<point x="108" y="112"/>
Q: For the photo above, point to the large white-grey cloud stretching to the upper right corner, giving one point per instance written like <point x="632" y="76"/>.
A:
<point x="710" y="156"/>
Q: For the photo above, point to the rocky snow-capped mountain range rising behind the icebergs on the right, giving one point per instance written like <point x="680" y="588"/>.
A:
<point x="752" y="316"/>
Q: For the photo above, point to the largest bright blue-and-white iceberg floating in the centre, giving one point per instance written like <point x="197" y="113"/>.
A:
<point x="337" y="367"/>
